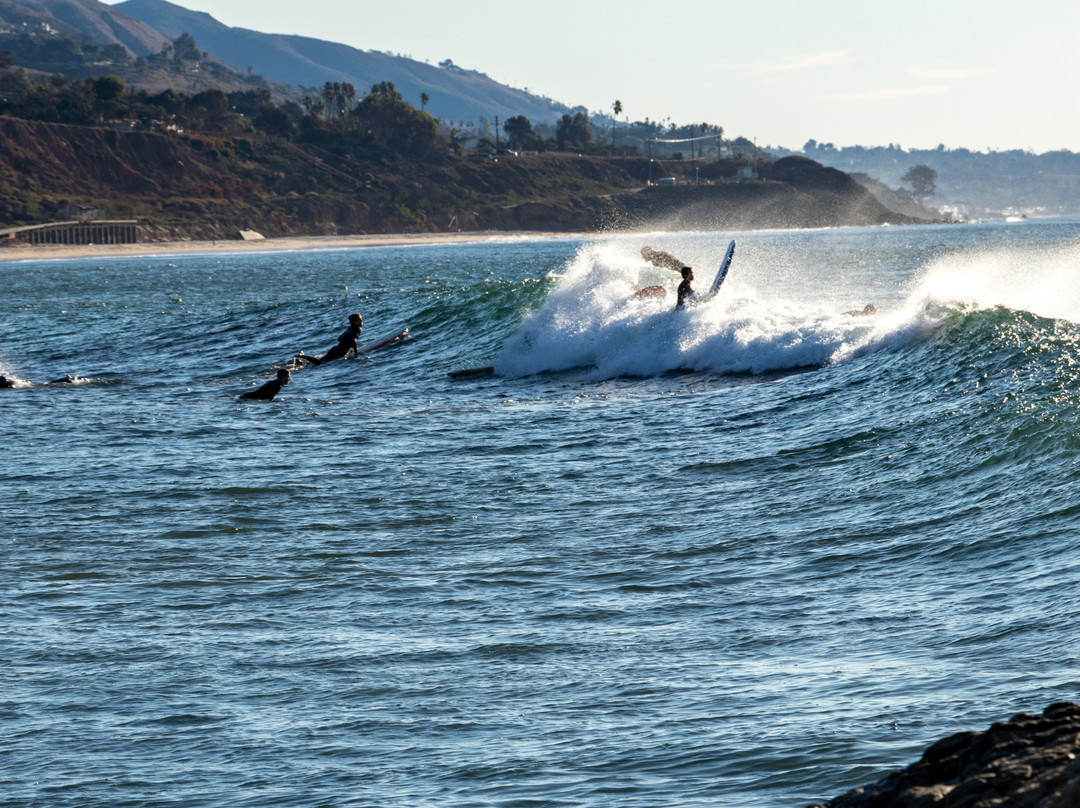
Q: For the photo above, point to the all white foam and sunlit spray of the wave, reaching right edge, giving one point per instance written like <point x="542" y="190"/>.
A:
<point x="776" y="313"/>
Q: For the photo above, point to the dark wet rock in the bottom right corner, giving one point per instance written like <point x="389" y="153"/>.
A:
<point x="1029" y="762"/>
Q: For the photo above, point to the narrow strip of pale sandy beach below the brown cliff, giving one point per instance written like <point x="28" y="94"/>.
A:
<point x="51" y="252"/>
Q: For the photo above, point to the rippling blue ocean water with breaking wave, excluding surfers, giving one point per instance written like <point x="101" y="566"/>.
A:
<point x="751" y="554"/>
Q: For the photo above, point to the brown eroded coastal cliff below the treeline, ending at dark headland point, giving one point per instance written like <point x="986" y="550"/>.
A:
<point x="211" y="186"/>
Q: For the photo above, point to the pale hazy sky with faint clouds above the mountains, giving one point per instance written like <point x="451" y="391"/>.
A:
<point x="979" y="75"/>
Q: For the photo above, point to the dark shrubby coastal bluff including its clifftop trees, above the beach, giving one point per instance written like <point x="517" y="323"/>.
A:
<point x="210" y="164"/>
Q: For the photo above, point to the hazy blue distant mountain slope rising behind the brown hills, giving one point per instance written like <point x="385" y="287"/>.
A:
<point x="455" y="95"/>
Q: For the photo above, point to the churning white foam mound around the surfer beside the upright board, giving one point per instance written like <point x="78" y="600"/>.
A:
<point x="592" y="320"/>
